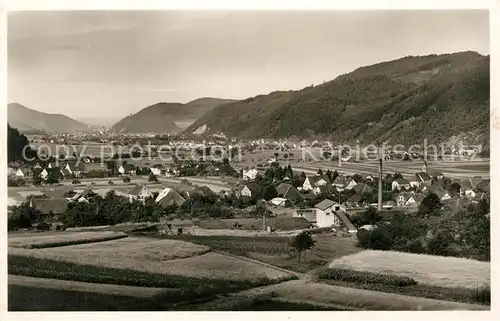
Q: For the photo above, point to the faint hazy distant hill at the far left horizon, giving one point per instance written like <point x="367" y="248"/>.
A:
<point x="29" y="120"/>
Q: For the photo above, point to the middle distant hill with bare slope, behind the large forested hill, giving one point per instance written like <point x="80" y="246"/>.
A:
<point x="167" y="117"/>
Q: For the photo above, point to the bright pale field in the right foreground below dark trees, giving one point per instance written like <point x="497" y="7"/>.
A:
<point x="448" y="272"/>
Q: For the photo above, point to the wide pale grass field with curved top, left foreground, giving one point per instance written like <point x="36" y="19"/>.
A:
<point x="155" y="256"/>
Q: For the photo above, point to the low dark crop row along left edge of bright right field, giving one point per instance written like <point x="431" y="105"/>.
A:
<point x="362" y="277"/>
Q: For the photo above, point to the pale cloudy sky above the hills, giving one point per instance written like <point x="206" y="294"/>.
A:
<point x="109" y="64"/>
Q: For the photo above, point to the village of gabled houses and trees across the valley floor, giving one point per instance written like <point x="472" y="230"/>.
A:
<point x="322" y="198"/>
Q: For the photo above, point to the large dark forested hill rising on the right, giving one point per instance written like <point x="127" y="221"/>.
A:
<point x="401" y="101"/>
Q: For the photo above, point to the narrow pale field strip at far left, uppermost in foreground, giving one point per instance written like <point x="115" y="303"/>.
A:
<point x="61" y="239"/>
